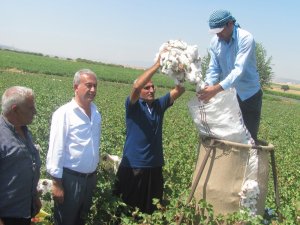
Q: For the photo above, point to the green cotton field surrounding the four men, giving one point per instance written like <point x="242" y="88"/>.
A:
<point x="51" y="79"/>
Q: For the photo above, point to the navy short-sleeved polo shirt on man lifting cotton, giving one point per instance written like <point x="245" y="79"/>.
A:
<point x="143" y="145"/>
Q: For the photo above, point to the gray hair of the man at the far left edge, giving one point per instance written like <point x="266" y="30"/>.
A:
<point x="15" y="95"/>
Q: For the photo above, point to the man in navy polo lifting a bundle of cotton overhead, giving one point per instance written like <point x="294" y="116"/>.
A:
<point x="139" y="177"/>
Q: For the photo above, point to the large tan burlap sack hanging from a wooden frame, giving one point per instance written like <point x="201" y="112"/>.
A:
<point x="224" y="174"/>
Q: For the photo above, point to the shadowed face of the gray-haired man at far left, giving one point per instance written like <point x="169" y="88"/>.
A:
<point x="26" y="111"/>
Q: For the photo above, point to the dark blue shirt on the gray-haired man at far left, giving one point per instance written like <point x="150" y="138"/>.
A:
<point x="19" y="172"/>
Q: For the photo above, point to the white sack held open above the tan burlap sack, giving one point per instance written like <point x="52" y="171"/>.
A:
<point x="220" y="118"/>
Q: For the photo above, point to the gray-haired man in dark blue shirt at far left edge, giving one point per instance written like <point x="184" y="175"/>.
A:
<point x="19" y="159"/>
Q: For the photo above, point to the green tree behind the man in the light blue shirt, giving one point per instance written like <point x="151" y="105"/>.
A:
<point x="263" y="65"/>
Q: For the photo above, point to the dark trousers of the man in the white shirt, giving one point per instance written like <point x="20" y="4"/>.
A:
<point x="78" y="192"/>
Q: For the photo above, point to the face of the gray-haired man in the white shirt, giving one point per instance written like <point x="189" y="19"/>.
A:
<point x="87" y="88"/>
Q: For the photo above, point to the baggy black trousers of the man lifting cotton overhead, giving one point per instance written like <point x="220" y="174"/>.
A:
<point x="138" y="186"/>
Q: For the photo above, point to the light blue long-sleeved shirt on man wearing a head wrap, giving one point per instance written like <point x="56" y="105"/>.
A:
<point x="233" y="64"/>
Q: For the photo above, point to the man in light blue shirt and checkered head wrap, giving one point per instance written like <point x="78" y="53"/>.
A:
<point x="233" y="64"/>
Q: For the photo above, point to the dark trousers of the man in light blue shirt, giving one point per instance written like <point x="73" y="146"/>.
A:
<point x="251" y="111"/>
